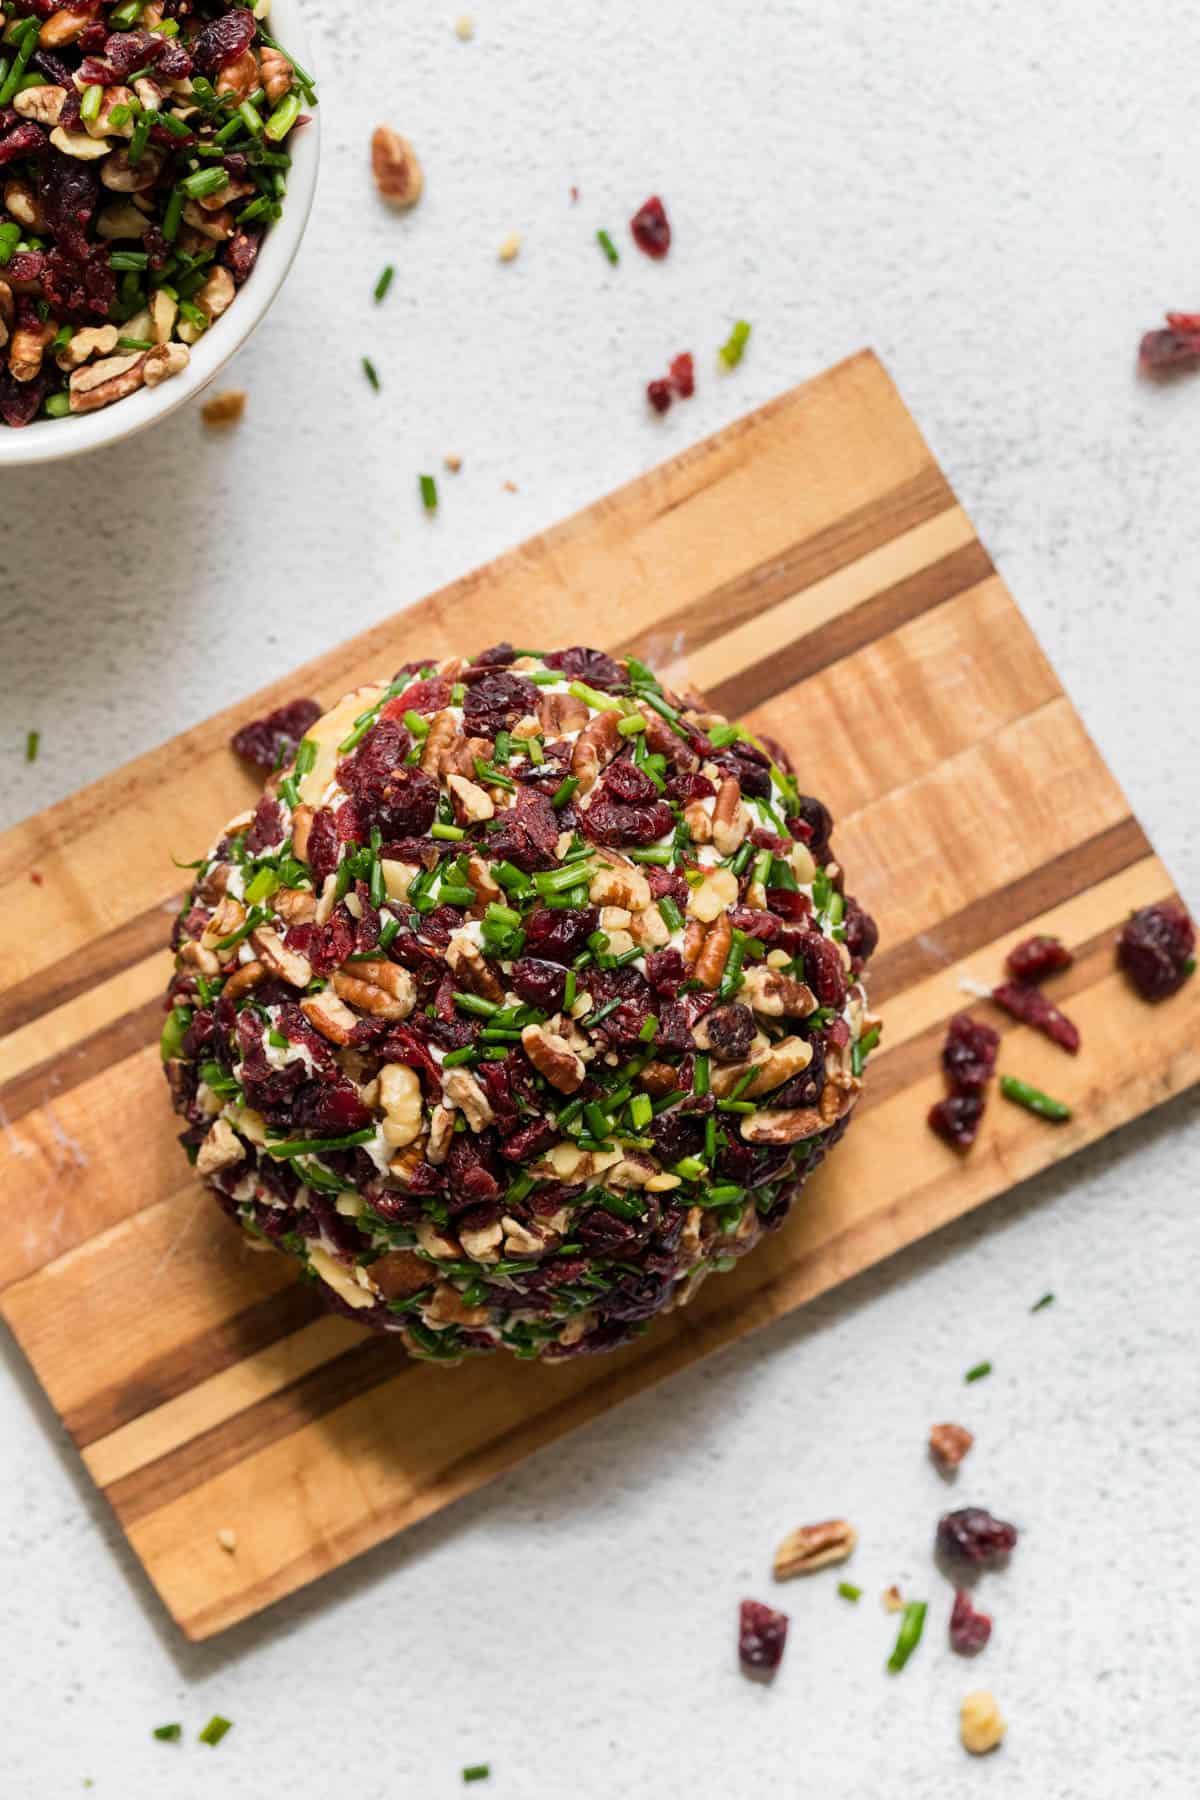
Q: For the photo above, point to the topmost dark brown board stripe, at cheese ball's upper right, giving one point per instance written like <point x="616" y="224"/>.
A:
<point x="803" y="564"/>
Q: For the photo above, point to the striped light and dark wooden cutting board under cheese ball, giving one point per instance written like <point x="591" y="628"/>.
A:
<point x="814" y="573"/>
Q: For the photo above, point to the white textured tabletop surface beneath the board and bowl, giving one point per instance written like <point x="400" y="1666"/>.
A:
<point x="999" y="199"/>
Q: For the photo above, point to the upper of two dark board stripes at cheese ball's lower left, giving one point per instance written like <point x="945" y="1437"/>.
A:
<point x="166" y="1378"/>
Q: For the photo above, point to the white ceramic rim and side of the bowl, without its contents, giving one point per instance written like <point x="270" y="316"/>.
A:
<point x="57" y="440"/>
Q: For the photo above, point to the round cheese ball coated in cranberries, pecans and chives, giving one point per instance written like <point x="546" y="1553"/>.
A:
<point x="524" y="1000"/>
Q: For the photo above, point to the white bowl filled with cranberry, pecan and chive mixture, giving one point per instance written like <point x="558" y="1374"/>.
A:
<point x="157" y="165"/>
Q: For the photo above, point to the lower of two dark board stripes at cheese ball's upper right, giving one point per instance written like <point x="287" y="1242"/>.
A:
<point x="854" y="631"/>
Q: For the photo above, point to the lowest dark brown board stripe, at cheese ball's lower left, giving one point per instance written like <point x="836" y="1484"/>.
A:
<point x="368" y="1365"/>
